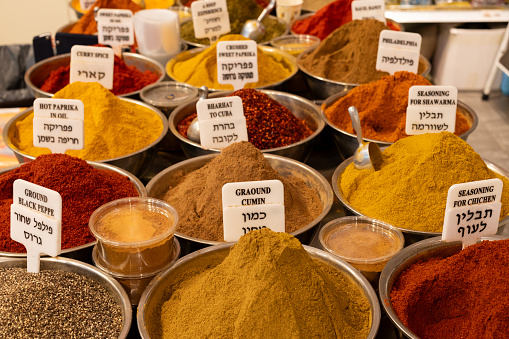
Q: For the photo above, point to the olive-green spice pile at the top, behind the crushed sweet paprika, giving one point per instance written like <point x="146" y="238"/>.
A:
<point x="240" y="11"/>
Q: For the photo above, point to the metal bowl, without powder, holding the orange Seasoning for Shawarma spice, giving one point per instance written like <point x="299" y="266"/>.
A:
<point x="347" y="142"/>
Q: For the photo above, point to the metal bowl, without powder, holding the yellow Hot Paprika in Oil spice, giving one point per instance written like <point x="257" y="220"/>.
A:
<point x="135" y="162"/>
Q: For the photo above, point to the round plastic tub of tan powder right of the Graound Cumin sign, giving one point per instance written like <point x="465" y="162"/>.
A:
<point x="366" y="244"/>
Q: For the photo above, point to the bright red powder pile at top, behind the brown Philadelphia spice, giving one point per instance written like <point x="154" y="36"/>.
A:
<point x="328" y="19"/>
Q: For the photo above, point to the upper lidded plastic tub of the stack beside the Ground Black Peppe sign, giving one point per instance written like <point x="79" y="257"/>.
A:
<point x="134" y="235"/>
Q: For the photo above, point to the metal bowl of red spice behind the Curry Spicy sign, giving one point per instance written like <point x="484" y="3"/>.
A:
<point x="39" y="73"/>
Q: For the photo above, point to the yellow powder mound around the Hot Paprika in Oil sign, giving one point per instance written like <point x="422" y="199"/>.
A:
<point x="113" y="127"/>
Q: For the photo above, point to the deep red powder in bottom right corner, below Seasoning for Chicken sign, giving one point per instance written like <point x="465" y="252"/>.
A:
<point x="463" y="296"/>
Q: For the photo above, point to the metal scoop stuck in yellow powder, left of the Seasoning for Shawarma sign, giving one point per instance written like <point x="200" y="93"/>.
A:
<point x="367" y="155"/>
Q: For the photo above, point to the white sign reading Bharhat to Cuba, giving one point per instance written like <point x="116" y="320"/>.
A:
<point x="221" y="122"/>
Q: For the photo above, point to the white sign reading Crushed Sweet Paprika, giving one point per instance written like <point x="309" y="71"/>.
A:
<point x="237" y="62"/>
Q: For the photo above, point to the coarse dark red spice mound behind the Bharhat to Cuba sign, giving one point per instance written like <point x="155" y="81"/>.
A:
<point x="269" y="124"/>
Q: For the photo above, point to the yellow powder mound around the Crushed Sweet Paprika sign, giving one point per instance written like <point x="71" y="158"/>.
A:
<point x="201" y="69"/>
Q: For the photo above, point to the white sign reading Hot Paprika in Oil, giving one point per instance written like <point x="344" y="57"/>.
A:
<point x="59" y="124"/>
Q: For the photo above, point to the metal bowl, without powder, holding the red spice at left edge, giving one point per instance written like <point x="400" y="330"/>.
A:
<point x="81" y="252"/>
